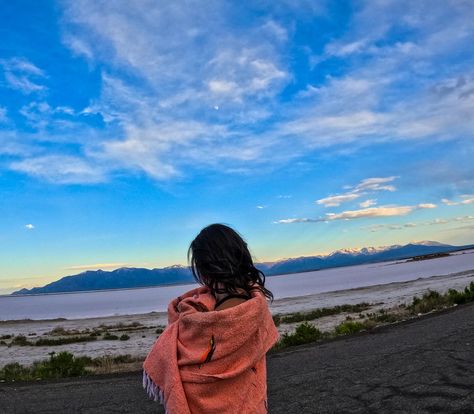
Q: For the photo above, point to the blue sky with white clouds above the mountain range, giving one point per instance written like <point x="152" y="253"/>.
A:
<point x="127" y="126"/>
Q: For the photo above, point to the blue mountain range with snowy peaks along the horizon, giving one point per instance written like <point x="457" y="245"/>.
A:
<point x="138" y="277"/>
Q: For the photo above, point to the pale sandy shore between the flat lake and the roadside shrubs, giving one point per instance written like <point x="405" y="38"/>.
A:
<point x="142" y="328"/>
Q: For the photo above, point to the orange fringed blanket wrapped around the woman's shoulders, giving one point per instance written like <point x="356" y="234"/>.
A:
<point x="210" y="361"/>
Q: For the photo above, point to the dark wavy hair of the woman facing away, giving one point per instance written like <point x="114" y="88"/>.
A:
<point x="220" y="259"/>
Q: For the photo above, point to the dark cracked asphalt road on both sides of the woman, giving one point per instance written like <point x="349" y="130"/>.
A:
<point x="424" y="366"/>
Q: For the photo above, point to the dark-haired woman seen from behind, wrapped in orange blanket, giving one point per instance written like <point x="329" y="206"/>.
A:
<point x="211" y="357"/>
